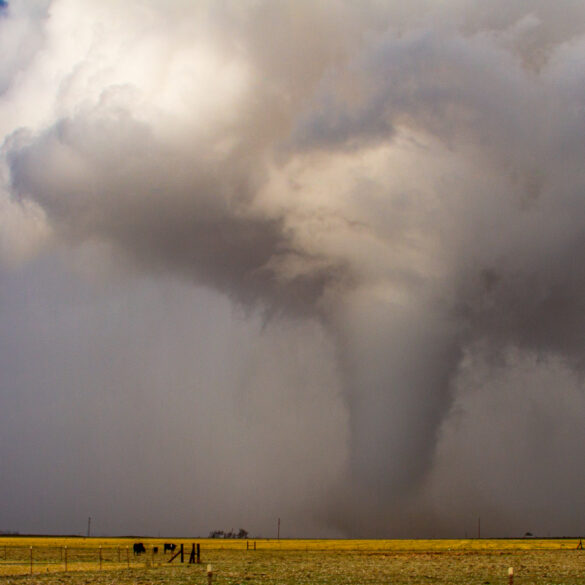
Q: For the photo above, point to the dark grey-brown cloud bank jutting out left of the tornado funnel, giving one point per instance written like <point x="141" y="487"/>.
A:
<point x="102" y="176"/>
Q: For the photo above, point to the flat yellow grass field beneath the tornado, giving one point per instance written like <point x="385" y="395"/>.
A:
<point x="111" y="561"/>
